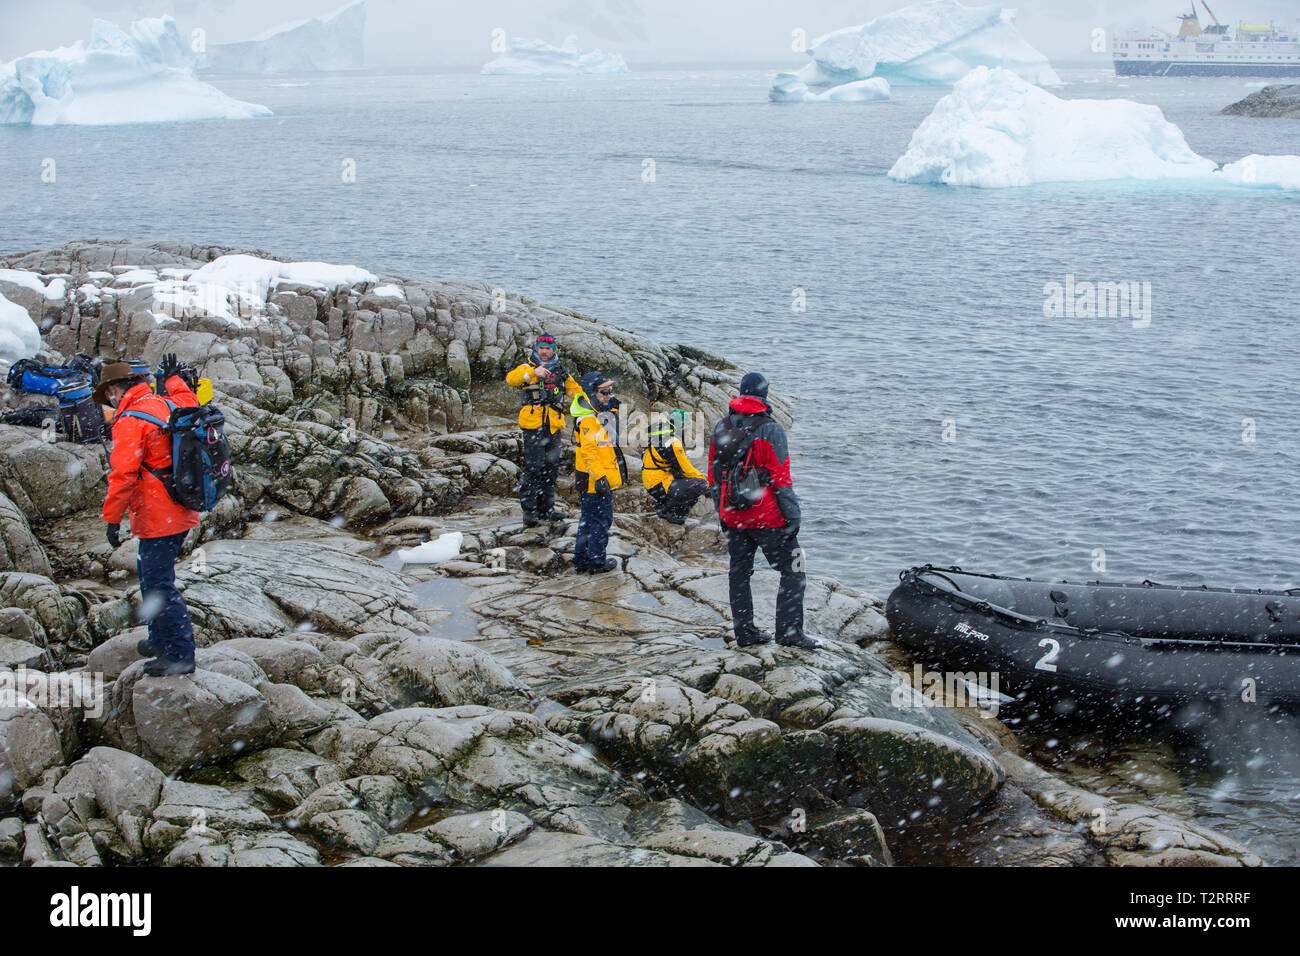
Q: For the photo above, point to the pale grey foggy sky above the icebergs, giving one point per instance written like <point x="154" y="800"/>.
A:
<point x="441" y="36"/>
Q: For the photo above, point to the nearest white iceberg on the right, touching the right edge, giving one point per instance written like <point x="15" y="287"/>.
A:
<point x="998" y="131"/>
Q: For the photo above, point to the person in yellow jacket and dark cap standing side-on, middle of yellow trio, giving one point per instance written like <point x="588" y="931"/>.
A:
<point x="600" y="470"/>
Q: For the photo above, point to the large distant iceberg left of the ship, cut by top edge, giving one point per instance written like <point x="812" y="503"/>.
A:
<point x="933" y="44"/>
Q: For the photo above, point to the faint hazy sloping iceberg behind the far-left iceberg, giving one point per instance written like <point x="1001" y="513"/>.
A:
<point x="333" y="42"/>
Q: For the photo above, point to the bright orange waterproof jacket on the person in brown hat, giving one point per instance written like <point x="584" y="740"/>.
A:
<point x="137" y="443"/>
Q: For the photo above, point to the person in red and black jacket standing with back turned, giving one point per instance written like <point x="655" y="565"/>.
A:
<point x="770" y="524"/>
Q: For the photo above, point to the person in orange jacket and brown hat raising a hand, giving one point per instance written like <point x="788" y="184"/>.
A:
<point x="141" y="457"/>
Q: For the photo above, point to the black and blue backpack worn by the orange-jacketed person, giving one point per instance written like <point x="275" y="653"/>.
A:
<point x="201" y="473"/>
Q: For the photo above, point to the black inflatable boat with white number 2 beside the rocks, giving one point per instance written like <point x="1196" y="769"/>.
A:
<point x="1104" y="644"/>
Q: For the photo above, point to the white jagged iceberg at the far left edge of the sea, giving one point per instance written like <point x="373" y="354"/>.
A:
<point x="144" y="76"/>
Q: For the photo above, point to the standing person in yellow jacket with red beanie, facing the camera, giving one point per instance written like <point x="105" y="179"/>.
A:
<point x="548" y="387"/>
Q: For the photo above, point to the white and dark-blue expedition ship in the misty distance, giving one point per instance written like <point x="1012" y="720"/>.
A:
<point x="1251" y="50"/>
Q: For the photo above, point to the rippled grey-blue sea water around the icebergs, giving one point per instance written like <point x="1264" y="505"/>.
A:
<point x="1071" y="440"/>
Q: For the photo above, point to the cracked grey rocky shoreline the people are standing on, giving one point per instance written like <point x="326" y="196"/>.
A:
<point x="492" y="710"/>
